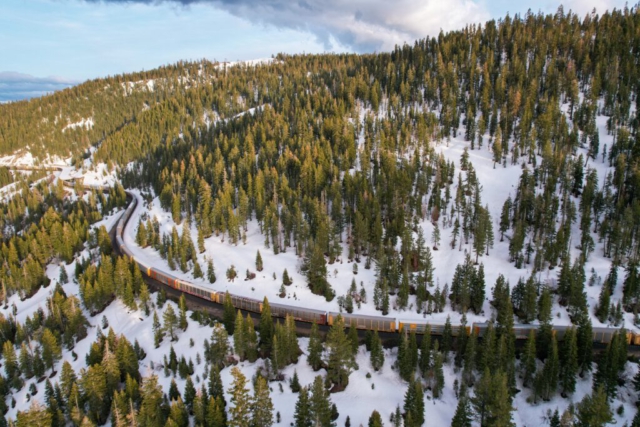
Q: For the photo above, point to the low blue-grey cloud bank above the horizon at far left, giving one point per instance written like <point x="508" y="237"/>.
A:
<point x="17" y="86"/>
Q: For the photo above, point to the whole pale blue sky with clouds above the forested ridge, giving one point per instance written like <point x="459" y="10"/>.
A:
<point x="47" y="45"/>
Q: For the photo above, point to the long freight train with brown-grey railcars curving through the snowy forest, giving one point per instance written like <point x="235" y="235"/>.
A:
<point x="601" y="335"/>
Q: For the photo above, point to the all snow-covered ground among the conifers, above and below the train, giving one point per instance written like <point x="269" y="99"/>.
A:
<point x="359" y="399"/>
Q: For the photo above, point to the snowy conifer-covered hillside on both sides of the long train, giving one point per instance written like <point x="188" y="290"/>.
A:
<point x="491" y="172"/>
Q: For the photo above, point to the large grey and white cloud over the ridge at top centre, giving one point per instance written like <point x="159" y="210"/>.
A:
<point x="361" y="25"/>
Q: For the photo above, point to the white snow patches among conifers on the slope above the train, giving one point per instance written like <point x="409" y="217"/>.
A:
<point x="498" y="183"/>
